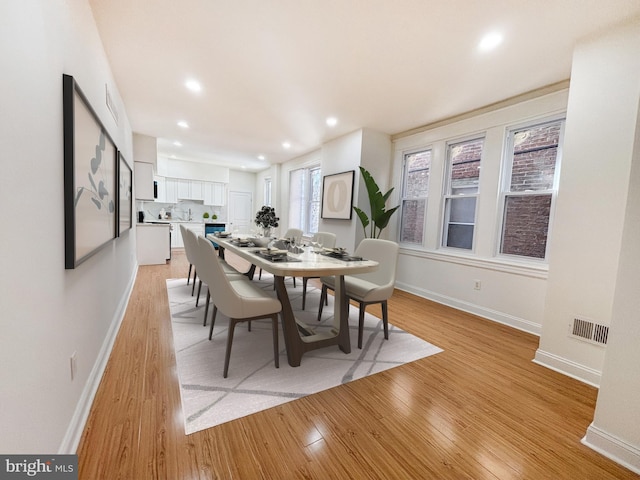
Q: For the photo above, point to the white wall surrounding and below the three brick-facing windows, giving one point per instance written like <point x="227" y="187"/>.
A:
<point x="512" y="291"/>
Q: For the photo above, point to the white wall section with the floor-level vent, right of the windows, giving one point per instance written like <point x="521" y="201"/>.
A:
<point x="590" y="211"/>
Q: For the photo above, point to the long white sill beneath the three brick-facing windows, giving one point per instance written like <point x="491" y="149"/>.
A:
<point x="533" y="269"/>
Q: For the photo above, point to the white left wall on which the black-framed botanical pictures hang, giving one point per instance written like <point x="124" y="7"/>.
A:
<point x="49" y="312"/>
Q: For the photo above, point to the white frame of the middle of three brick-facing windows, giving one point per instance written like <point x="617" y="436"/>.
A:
<point x="448" y="196"/>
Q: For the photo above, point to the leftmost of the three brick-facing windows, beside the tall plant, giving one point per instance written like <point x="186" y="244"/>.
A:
<point x="415" y="188"/>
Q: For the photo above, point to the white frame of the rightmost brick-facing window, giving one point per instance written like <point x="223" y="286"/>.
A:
<point x="505" y="187"/>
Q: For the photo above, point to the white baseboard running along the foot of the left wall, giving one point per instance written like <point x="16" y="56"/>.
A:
<point x="73" y="435"/>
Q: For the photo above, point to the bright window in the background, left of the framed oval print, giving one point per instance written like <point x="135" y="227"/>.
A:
<point x="305" y="193"/>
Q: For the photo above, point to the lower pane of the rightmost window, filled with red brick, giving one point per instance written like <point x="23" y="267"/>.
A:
<point x="526" y="223"/>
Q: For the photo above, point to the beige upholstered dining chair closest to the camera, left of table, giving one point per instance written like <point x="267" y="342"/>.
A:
<point x="237" y="298"/>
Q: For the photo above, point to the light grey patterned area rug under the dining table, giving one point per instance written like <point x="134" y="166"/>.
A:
<point x="253" y="383"/>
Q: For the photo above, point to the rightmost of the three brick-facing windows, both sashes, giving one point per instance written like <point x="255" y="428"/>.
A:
<point x="530" y="186"/>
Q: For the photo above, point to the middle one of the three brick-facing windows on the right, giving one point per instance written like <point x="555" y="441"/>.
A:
<point x="461" y="193"/>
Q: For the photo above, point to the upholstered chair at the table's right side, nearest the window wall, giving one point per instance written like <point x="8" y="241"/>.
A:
<point x="369" y="288"/>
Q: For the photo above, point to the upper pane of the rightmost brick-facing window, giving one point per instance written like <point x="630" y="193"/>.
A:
<point x="534" y="157"/>
